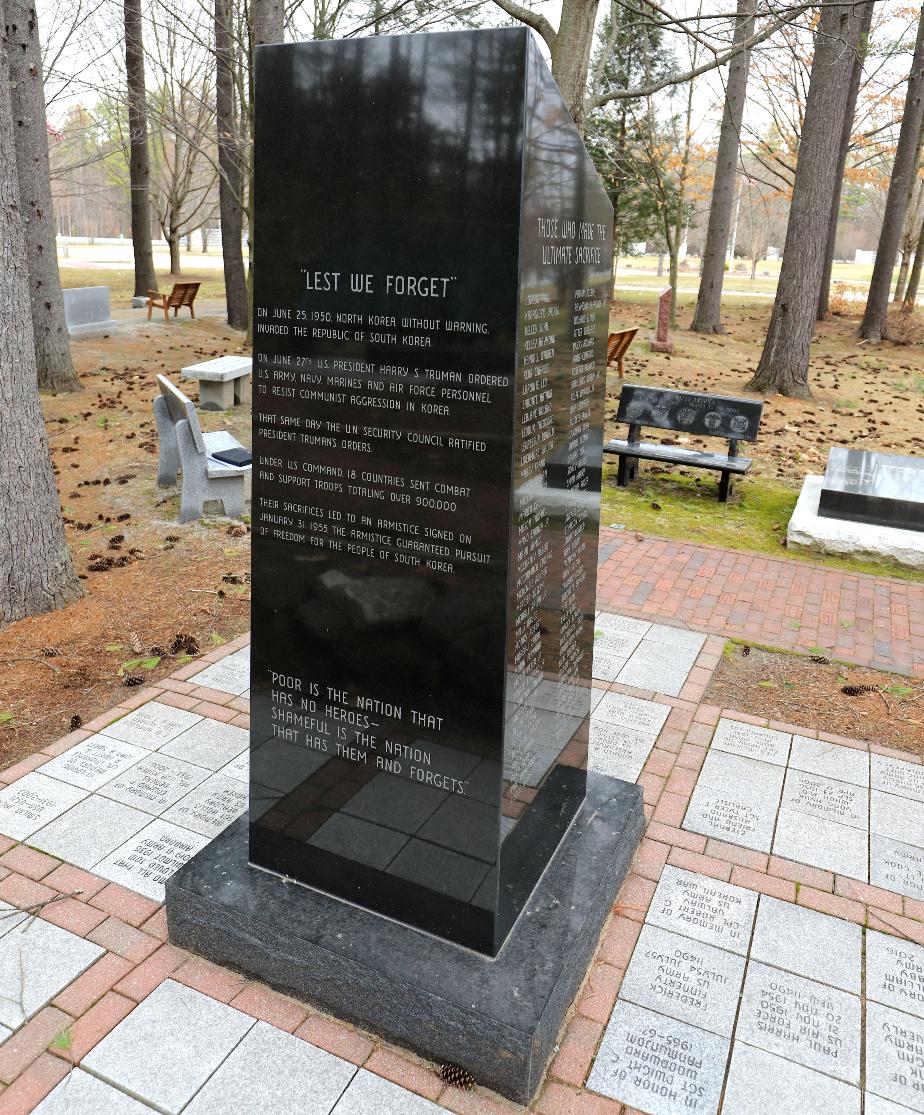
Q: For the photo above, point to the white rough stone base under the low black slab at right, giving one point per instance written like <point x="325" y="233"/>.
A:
<point x="811" y="531"/>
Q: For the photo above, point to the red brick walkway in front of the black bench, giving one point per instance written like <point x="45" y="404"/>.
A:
<point x="859" y="618"/>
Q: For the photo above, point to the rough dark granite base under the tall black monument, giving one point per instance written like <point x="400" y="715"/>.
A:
<point x="498" y="1019"/>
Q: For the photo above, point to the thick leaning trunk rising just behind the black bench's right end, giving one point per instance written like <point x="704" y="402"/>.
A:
<point x="784" y="363"/>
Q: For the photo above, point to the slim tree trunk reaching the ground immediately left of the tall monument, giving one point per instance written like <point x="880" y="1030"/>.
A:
<point x="230" y="172"/>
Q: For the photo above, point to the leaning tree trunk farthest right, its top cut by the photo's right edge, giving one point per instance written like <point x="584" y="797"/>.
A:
<point x="874" y="326"/>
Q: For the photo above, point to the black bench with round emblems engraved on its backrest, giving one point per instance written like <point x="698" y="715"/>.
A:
<point x="688" y="413"/>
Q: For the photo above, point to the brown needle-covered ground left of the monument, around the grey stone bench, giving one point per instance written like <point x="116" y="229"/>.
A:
<point x="166" y="579"/>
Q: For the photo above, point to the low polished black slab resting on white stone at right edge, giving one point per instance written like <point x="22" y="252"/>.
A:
<point x="882" y="489"/>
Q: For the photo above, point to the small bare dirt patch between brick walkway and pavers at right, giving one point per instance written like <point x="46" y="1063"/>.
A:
<point x="796" y="691"/>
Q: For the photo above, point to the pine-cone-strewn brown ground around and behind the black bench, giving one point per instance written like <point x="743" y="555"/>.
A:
<point x="864" y="396"/>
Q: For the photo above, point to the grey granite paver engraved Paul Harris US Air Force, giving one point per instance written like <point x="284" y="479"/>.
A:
<point x="802" y="1021"/>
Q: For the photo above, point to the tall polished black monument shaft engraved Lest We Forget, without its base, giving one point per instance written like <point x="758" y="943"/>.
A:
<point x="432" y="298"/>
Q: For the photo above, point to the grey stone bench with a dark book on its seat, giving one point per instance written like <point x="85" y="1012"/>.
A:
<point x="184" y="449"/>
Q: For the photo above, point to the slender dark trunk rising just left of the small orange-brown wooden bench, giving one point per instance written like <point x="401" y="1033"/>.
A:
<point x="140" y="159"/>
